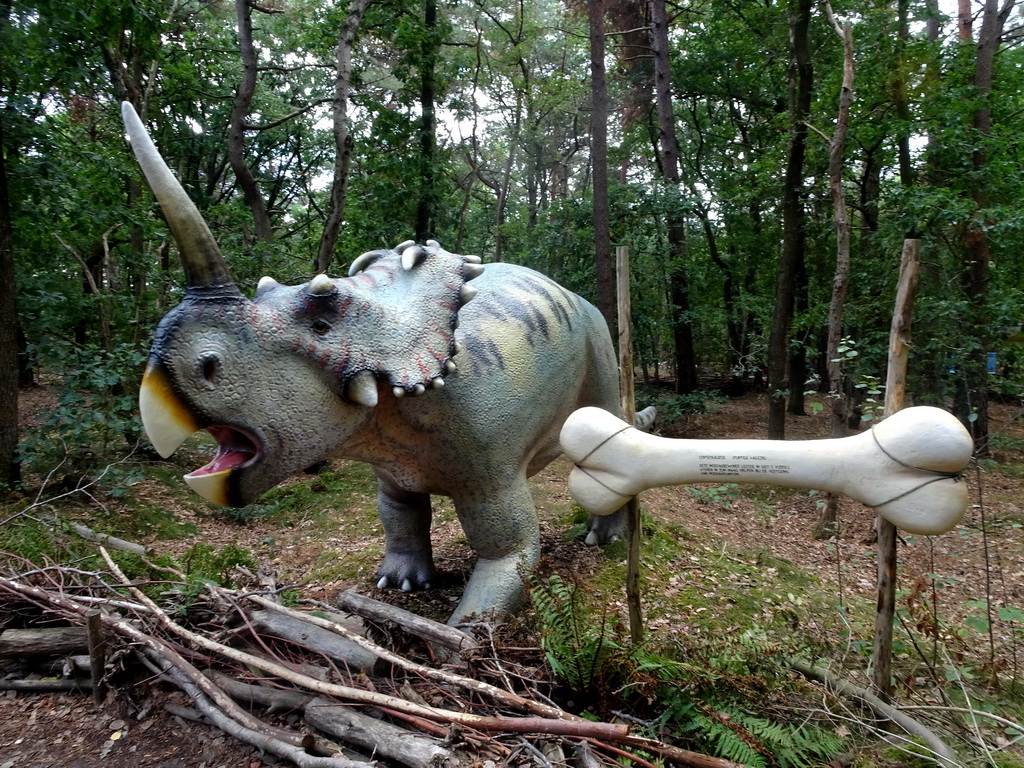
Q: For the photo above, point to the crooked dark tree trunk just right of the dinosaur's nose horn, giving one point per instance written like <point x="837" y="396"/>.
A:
<point x="236" y="127"/>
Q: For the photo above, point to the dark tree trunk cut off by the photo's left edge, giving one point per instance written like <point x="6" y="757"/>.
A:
<point x="10" y="467"/>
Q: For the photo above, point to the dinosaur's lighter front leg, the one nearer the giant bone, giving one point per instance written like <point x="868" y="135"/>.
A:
<point x="501" y="526"/>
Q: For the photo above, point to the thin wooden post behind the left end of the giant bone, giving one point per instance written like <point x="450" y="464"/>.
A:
<point x="629" y="414"/>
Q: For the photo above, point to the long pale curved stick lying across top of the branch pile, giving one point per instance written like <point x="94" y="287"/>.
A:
<point x="516" y="726"/>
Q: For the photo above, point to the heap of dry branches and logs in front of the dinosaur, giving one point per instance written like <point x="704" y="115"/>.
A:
<point x="359" y="702"/>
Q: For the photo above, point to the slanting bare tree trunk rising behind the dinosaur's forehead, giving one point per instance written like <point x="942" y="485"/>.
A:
<point x="343" y="137"/>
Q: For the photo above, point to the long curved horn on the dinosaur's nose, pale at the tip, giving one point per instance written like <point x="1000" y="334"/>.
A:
<point x="206" y="271"/>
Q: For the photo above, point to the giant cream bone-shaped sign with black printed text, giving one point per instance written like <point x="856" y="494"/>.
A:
<point x="908" y="467"/>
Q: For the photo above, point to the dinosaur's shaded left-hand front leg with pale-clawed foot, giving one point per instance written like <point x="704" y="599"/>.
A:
<point x="409" y="563"/>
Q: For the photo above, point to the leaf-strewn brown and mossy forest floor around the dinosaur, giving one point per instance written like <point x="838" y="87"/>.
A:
<point x="327" y="546"/>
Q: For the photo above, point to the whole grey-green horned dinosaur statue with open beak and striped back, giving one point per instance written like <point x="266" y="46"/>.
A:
<point x="334" y="368"/>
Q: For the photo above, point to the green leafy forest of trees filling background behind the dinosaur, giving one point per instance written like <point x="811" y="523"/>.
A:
<point x="698" y="135"/>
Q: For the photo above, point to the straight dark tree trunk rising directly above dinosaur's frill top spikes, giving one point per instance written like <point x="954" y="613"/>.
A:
<point x="428" y="203"/>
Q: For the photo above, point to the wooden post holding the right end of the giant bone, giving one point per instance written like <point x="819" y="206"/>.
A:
<point x="900" y="349"/>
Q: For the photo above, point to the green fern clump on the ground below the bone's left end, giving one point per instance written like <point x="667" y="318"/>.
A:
<point x="713" y="695"/>
